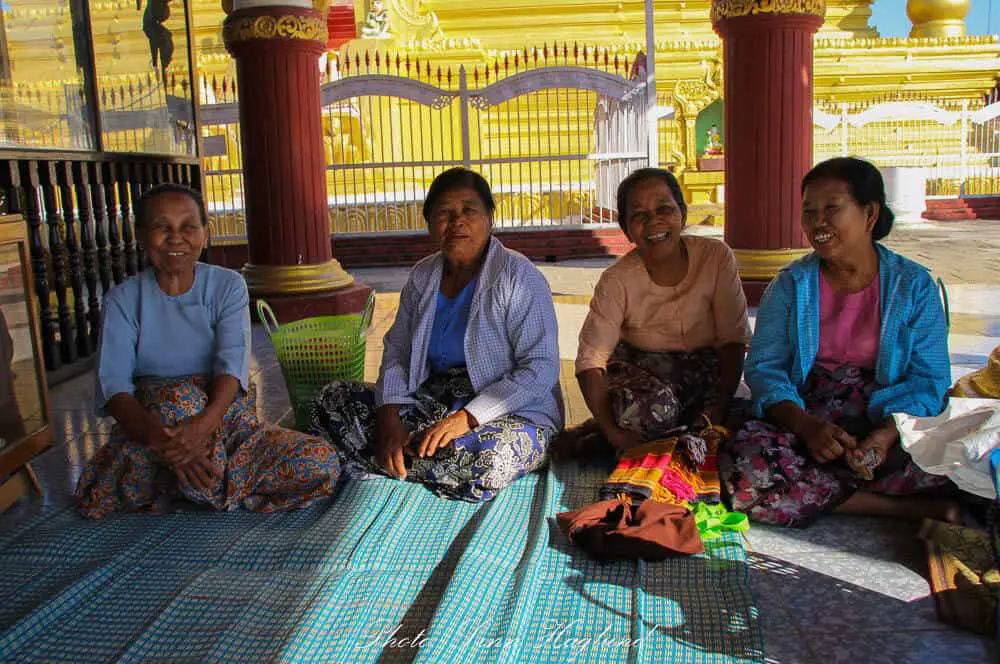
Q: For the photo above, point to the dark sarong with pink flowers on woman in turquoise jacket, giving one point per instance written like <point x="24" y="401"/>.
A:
<point x="770" y="475"/>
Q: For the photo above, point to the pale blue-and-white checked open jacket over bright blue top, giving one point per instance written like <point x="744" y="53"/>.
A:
<point x="511" y="341"/>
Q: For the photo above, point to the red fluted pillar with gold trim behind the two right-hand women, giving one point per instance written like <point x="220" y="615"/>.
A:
<point x="768" y="60"/>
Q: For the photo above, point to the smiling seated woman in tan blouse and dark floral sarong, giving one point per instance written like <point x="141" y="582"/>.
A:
<point x="663" y="344"/>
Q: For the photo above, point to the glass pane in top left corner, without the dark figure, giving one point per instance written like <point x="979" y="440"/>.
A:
<point x="42" y="100"/>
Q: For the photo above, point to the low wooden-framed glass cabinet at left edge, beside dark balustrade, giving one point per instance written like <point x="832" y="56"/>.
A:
<point x="25" y="426"/>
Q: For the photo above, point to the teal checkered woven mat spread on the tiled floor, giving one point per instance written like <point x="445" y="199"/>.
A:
<point x="386" y="572"/>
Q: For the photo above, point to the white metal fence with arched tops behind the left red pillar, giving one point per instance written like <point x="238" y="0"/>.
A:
<point x="553" y="141"/>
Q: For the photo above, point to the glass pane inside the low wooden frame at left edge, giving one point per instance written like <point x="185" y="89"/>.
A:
<point x="20" y="400"/>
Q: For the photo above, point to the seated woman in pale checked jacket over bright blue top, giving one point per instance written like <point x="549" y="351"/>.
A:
<point x="468" y="395"/>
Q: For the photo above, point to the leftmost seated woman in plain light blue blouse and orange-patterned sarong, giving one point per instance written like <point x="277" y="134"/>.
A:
<point x="173" y="371"/>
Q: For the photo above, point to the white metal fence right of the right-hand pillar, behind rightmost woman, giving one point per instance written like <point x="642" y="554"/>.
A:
<point x="956" y="141"/>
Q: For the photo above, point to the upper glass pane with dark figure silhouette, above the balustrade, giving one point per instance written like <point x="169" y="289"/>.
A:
<point x="143" y="81"/>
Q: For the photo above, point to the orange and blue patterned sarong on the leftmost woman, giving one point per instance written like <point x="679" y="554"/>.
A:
<point x="258" y="466"/>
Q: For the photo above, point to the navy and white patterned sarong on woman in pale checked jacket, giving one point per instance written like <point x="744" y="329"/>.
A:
<point x="474" y="467"/>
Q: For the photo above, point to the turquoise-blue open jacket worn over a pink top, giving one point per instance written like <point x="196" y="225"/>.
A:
<point x="912" y="370"/>
